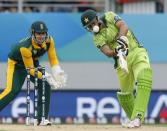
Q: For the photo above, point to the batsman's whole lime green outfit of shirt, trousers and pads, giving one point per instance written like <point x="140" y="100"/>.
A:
<point x="138" y="66"/>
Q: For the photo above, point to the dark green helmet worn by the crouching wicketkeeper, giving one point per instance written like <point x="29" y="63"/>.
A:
<point x="39" y="27"/>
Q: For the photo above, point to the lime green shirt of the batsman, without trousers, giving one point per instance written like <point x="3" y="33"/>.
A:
<point x="109" y="34"/>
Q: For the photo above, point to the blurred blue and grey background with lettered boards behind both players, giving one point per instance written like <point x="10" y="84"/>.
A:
<point x="90" y="95"/>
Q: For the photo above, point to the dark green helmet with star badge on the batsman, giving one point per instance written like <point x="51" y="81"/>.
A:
<point x="88" y="16"/>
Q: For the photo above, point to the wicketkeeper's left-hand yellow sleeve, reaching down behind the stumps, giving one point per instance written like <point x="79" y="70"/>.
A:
<point x="28" y="61"/>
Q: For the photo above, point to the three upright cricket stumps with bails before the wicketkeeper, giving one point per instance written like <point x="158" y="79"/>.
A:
<point x="35" y="95"/>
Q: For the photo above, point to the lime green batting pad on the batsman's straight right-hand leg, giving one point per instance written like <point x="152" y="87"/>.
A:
<point x="143" y="90"/>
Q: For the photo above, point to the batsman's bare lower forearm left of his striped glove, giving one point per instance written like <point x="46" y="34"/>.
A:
<point x="107" y="51"/>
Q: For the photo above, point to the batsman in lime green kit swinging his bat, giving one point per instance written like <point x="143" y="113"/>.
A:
<point x="113" y="38"/>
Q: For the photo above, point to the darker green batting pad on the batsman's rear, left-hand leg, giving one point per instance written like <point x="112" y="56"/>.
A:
<point x="126" y="100"/>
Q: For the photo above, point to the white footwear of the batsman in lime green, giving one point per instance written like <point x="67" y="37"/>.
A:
<point x="136" y="123"/>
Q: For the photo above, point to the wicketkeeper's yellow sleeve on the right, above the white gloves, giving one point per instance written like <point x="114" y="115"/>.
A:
<point x="52" y="53"/>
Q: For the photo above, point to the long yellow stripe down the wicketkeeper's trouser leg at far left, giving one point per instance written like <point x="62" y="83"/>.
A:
<point x="10" y="72"/>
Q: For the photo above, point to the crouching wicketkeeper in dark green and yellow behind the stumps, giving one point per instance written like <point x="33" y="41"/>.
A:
<point x="25" y="55"/>
